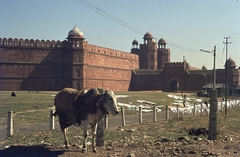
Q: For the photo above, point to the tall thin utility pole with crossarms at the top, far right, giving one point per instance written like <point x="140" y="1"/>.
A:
<point x="226" y="74"/>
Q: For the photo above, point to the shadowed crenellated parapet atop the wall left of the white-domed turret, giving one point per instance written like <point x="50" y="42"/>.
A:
<point x="29" y="43"/>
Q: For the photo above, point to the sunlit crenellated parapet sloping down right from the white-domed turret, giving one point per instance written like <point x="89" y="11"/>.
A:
<point x="111" y="52"/>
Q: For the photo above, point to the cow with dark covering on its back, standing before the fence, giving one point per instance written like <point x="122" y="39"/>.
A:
<point x="88" y="108"/>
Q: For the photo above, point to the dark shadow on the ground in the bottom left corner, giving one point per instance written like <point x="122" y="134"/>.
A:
<point x="30" y="151"/>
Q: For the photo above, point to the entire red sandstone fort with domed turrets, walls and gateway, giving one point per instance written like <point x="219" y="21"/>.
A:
<point x="53" y="65"/>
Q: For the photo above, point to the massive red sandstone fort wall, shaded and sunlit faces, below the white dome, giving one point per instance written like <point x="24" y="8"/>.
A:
<point x="53" y="65"/>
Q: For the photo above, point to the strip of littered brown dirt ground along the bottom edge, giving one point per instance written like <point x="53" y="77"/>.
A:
<point x="227" y="147"/>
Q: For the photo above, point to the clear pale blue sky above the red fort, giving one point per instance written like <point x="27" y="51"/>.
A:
<point x="186" y="25"/>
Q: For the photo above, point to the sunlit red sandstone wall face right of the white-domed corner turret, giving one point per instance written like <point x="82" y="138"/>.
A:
<point x="108" y="68"/>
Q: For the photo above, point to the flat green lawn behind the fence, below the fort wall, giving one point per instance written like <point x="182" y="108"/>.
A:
<point x="32" y="107"/>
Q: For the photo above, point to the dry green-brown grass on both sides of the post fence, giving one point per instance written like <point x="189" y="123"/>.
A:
<point x="33" y="107"/>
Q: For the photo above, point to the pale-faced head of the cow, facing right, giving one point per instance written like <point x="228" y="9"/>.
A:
<point x="109" y="102"/>
